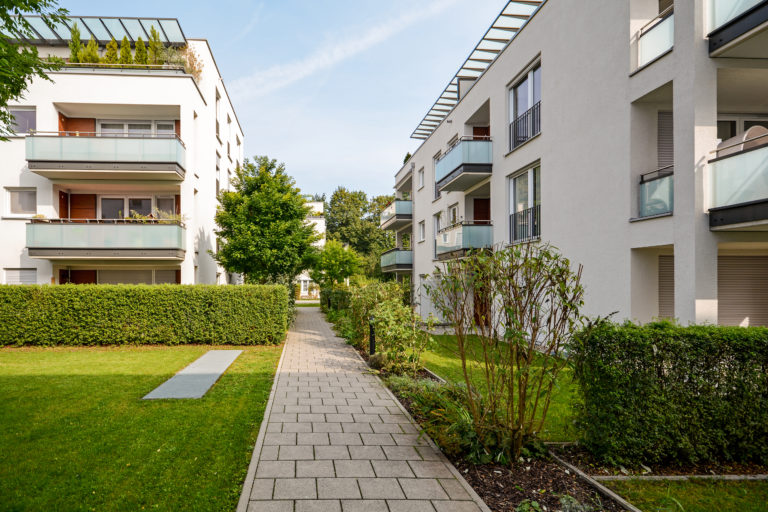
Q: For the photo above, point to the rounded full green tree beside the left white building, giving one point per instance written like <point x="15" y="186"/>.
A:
<point x="263" y="233"/>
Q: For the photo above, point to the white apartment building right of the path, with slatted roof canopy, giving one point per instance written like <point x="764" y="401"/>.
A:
<point x="631" y="134"/>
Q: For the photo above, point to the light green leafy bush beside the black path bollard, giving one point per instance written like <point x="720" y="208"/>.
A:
<point x="400" y="336"/>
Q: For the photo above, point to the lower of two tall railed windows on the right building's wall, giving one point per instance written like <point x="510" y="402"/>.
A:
<point x="525" y="205"/>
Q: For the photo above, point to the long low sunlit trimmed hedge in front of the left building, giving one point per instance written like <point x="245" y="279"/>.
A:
<point x="140" y="314"/>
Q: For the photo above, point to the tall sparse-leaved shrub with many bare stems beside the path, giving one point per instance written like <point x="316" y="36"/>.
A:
<point x="522" y="304"/>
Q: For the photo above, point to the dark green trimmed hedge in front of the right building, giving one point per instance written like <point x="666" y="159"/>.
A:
<point x="663" y="393"/>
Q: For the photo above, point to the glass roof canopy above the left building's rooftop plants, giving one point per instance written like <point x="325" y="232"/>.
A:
<point x="102" y="29"/>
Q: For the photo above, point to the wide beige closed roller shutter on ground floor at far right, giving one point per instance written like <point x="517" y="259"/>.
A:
<point x="742" y="290"/>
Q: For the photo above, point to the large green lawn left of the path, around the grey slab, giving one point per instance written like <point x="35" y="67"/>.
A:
<point x="75" y="434"/>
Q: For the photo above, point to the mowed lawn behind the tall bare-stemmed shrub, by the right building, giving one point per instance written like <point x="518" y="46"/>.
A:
<point x="443" y="359"/>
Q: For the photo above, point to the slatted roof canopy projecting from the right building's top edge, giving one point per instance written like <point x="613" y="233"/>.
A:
<point x="509" y="21"/>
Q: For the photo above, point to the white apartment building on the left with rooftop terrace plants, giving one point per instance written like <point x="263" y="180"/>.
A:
<point x="98" y="143"/>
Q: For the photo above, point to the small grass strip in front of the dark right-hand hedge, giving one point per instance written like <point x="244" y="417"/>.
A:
<point x="694" y="495"/>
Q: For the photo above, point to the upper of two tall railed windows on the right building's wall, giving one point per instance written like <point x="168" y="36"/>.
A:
<point x="525" y="108"/>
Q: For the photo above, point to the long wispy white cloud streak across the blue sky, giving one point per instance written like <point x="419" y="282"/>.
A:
<point x="261" y="82"/>
